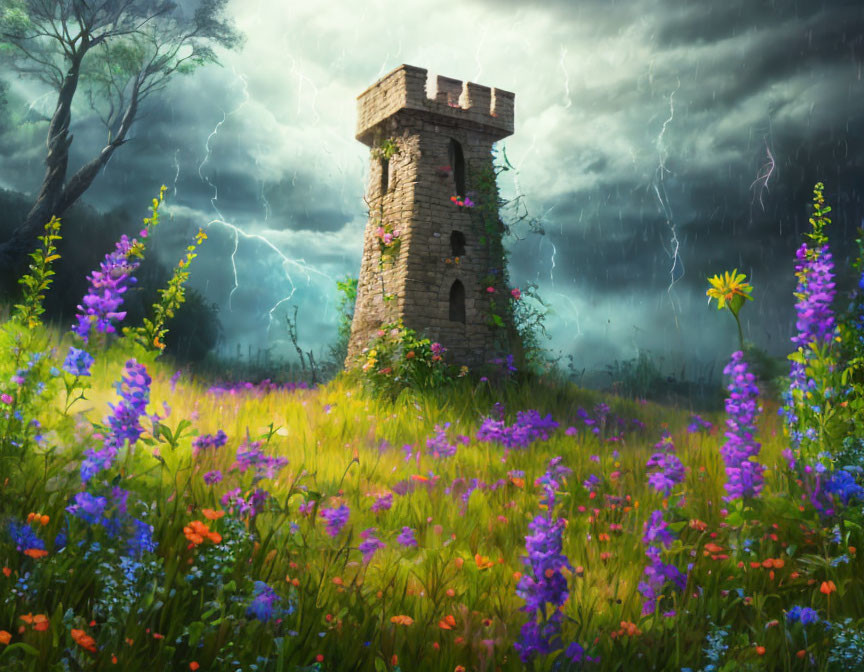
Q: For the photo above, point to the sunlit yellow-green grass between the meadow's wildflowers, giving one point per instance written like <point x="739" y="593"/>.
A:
<point x="334" y="438"/>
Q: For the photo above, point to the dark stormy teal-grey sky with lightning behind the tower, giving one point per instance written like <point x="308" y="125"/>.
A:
<point x="657" y="142"/>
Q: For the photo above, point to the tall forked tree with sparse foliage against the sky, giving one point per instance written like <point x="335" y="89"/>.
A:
<point x="118" y="53"/>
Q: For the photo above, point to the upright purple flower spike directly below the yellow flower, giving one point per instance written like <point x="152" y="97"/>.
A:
<point x="744" y="474"/>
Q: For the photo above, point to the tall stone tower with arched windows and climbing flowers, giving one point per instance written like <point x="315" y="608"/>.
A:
<point x="428" y="260"/>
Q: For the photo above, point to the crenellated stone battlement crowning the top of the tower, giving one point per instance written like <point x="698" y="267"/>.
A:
<point x="410" y="88"/>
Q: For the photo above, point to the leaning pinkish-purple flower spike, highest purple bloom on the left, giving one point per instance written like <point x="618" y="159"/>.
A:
<point x="104" y="296"/>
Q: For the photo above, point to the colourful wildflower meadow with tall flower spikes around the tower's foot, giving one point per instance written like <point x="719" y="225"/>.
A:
<point x="414" y="515"/>
